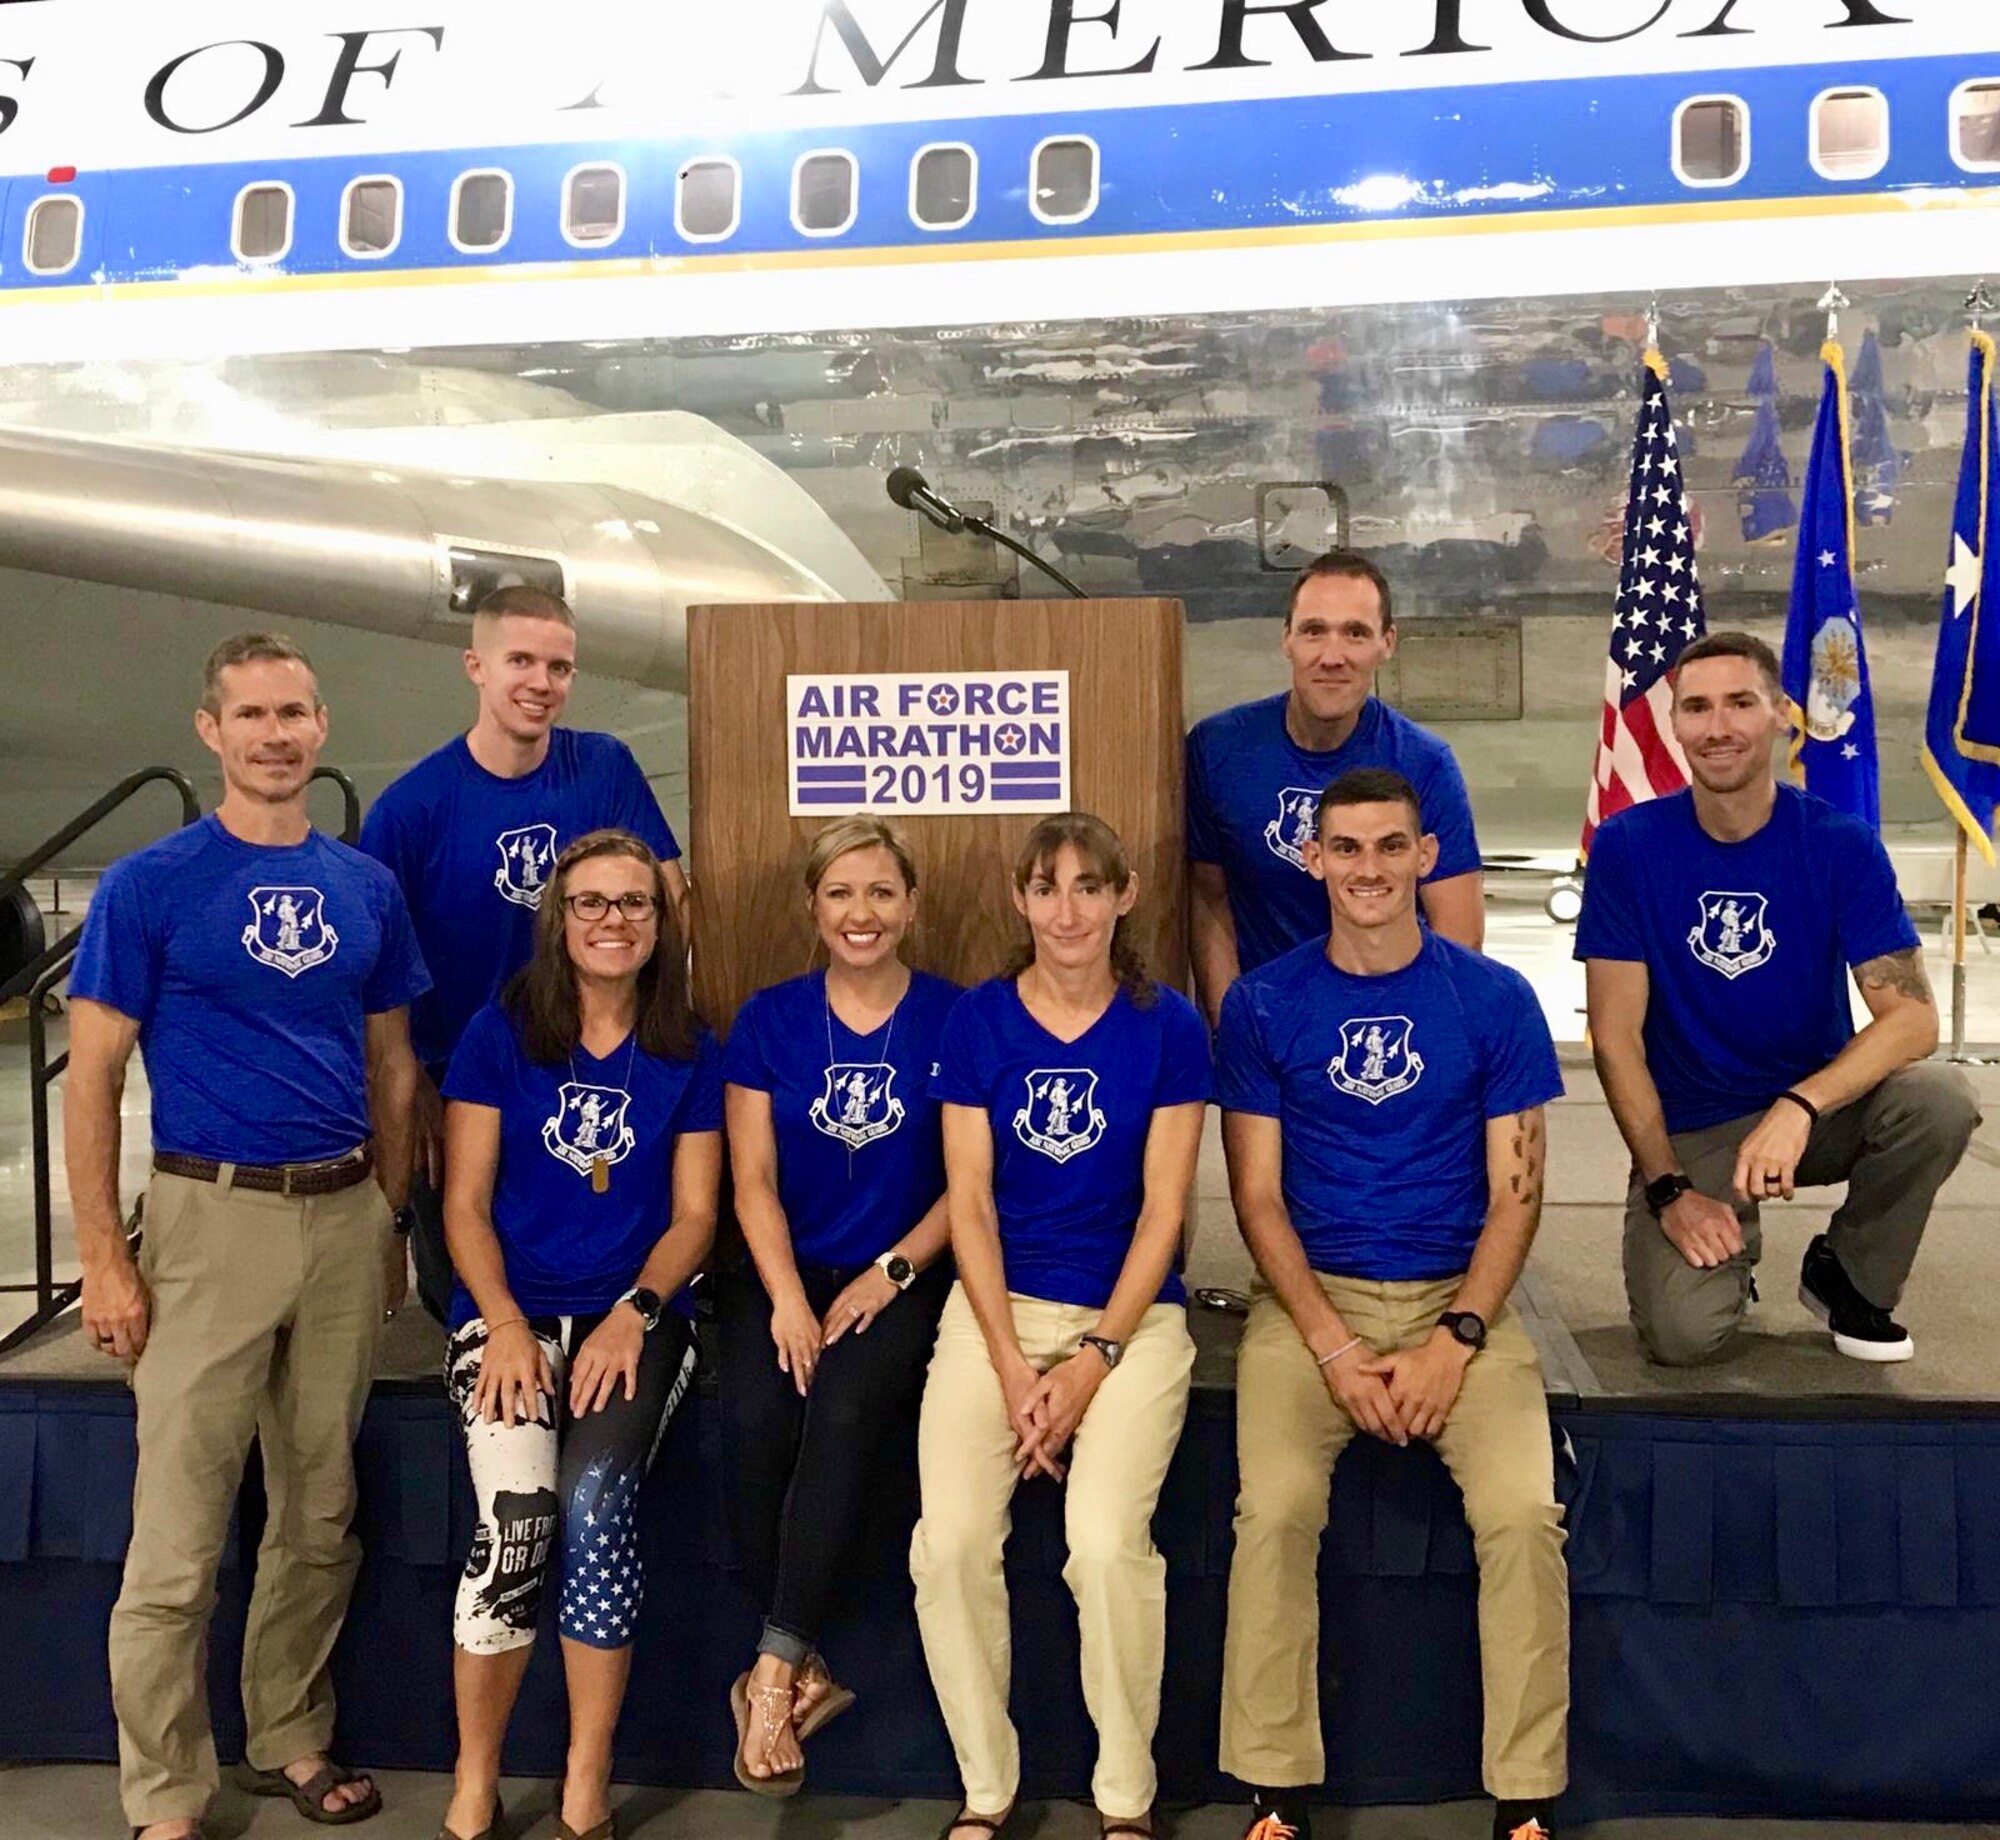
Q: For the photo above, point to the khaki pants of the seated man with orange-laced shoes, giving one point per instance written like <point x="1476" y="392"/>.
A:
<point x="1497" y="1445"/>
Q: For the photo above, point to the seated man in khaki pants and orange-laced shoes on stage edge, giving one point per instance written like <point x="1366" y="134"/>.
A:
<point x="1383" y="1113"/>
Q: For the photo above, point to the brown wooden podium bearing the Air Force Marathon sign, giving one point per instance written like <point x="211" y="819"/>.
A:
<point x="959" y="721"/>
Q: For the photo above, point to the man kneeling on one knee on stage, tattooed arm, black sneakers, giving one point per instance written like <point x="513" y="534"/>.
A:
<point x="1717" y="931"/>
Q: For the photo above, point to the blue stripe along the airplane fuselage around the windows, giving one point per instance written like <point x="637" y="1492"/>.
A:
<point x="1573" y="145"/>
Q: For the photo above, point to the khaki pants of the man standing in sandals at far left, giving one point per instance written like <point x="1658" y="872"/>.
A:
<point x="265" y="1321"/>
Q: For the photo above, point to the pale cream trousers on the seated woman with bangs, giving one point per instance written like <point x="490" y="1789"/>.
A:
<point x="1115" y="1573"/>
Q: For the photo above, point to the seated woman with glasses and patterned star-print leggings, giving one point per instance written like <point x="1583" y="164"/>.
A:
<point x="585" y="1117"/>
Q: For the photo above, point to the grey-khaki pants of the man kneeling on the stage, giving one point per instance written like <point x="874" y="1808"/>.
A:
<point x="1895" y="1149"/>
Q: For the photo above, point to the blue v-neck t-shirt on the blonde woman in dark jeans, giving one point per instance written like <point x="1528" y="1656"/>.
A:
<point x="861" y="1147"/>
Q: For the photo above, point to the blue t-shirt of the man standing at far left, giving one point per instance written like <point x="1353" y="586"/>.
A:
<point x="249" y="973"/>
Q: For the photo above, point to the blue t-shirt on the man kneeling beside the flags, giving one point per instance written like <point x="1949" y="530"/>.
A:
<point x="1743" y="943"/>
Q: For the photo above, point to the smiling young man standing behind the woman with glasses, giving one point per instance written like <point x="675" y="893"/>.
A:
<point x="471" y="835"/>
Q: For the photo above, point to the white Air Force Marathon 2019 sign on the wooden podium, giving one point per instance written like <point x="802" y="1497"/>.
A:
<point x="929" y="743"/>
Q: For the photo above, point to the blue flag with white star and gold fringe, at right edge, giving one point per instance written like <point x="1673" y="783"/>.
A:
<point x="1963" y="731"/>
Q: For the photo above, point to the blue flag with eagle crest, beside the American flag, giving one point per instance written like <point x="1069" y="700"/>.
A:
<point x="1825" y="661"/>
